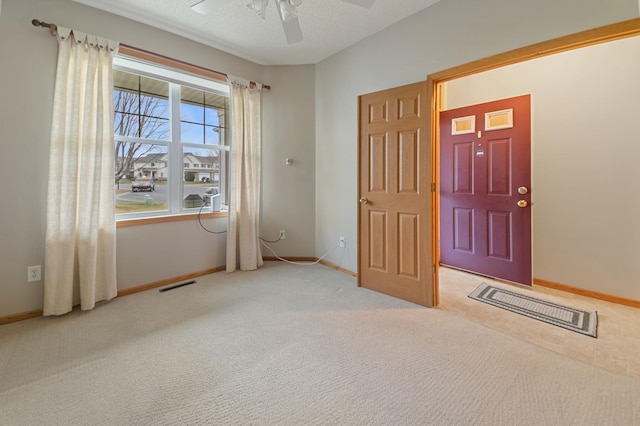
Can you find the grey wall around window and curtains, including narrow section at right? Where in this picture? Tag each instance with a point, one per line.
(153, 252)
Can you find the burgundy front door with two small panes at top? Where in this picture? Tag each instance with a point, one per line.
(485, 189)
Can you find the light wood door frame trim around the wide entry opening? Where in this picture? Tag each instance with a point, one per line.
(435, 92)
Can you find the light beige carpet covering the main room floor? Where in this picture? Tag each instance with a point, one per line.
(290, 345)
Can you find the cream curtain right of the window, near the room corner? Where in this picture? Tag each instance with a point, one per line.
(243, 238)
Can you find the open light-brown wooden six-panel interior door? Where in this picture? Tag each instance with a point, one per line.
(394, 228)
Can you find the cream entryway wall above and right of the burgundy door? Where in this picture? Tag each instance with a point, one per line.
(585, 150)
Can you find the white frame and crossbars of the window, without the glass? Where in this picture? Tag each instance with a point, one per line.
(176, 79)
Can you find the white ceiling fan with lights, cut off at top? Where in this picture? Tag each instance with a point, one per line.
(286, 9)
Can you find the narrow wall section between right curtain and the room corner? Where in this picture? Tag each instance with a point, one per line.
(288, 195)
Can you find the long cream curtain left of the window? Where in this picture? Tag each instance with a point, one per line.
(80, 239)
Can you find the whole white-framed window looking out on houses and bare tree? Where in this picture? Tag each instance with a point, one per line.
(171, 129)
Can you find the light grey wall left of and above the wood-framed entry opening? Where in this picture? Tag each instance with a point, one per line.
(449, 33)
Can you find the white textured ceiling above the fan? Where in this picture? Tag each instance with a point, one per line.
(328, 26)
